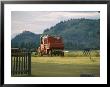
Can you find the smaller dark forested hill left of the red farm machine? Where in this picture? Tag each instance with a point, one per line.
(26, 39)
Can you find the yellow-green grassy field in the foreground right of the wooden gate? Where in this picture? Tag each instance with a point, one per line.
(65, 66)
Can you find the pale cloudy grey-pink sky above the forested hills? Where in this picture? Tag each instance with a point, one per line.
(38, 21)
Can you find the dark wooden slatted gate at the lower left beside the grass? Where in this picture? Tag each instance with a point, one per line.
(20, 62)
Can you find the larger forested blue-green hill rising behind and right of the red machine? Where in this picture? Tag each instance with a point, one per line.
(78, 33)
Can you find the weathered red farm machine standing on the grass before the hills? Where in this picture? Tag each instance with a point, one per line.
(51, 45)
